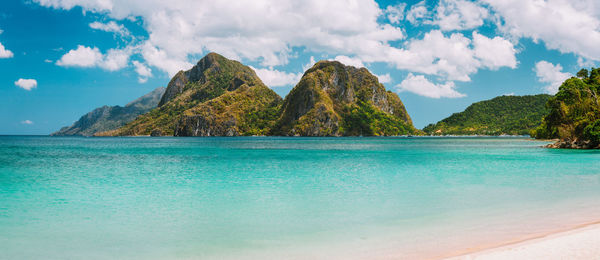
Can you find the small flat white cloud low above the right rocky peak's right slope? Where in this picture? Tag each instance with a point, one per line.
(421, 86)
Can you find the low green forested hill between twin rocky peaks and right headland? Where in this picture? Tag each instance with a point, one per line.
(511, 115)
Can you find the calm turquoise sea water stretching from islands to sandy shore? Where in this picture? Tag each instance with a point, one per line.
(291, 198)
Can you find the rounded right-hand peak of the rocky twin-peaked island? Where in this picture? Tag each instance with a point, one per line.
(332, 99)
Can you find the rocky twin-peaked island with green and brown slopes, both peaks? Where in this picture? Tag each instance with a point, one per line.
(222, 97)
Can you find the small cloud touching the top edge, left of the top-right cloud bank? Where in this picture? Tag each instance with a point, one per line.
(459, 15)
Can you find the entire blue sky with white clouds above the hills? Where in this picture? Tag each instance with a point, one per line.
(62, 58)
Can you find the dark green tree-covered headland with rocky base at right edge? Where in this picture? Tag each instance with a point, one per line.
(574, 113)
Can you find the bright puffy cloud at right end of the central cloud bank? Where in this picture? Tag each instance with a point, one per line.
(494, 53)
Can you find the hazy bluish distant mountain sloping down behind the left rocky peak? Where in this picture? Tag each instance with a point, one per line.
(111, 117)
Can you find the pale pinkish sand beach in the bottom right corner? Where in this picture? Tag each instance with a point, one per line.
(582, 242)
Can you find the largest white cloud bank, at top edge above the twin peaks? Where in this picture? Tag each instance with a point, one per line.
(254, 32)
